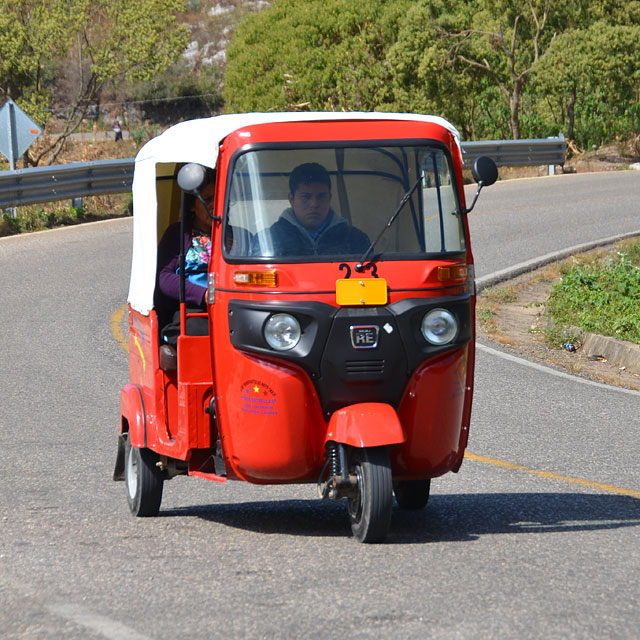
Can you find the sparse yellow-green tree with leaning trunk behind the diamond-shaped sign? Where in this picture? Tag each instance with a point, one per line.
(112, 40)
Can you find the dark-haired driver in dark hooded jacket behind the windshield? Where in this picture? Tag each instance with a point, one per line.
(310, 226)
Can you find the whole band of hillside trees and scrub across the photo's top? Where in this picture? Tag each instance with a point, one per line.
(499, 69)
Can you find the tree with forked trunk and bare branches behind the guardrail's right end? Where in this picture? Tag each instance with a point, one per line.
(488, 48)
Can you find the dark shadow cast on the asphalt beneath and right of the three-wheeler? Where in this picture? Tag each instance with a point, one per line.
(447, 517)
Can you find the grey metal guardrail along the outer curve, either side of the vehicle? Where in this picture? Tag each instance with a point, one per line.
(68, 181)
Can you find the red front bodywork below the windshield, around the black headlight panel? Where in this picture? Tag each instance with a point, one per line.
(269, 416)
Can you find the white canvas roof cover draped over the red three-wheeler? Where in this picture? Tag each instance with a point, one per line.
(199, 141)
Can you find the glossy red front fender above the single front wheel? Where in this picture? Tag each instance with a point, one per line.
(367, 424)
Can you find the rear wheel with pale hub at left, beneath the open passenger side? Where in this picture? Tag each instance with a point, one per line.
(144, 480)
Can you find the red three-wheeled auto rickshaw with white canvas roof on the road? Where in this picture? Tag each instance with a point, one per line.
(340, 349)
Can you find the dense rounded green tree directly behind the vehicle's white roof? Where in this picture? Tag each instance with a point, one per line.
(313, 55)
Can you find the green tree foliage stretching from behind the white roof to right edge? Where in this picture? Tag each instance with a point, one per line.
(495, 68)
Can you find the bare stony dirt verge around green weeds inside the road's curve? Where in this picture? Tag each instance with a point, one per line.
(512, 314)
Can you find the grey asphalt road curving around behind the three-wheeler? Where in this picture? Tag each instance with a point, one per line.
(537, 536)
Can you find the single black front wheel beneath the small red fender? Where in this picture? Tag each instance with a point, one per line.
(370, 508)
